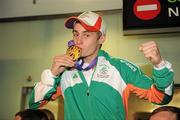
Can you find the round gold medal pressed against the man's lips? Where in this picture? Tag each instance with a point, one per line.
(74, 52)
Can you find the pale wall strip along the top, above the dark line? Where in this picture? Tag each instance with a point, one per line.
(19, 8)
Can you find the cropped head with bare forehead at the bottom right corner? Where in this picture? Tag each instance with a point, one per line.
(166, 113)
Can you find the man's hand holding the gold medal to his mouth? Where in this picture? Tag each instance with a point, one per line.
(61, 62)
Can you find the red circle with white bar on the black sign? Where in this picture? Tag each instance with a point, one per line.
(146, 9)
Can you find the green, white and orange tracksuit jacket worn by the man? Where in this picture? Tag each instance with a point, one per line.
(106, 95)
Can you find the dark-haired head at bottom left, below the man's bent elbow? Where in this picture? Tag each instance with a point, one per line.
(29, 114)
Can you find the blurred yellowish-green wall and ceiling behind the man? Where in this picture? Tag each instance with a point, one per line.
(32, 32)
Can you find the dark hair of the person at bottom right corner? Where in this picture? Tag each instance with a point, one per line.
(173, 109)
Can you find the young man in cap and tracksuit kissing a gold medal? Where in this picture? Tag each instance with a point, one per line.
(97, 86)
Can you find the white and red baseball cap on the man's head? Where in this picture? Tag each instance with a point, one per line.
(89, 20)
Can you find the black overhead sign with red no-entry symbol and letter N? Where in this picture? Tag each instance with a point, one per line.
(151, 16)
